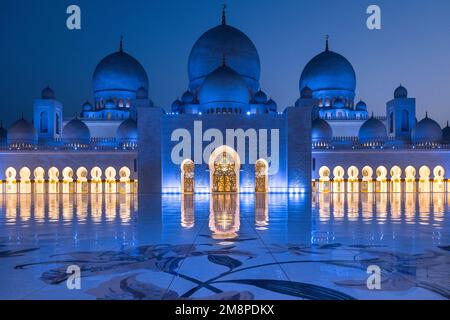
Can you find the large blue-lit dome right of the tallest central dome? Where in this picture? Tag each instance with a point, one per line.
(329, 71)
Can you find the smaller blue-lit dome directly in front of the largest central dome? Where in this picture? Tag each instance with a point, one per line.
(224, 85)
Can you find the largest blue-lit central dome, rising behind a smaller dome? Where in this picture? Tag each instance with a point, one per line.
(208, 50)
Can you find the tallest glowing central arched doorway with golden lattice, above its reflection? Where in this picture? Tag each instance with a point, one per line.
(224, 166)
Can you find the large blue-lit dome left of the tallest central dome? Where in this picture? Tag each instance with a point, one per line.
(117, 75)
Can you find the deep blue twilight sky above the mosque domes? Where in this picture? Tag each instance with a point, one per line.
(412, 48)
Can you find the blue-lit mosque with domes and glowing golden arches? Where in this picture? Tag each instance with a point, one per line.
(224, 135)
